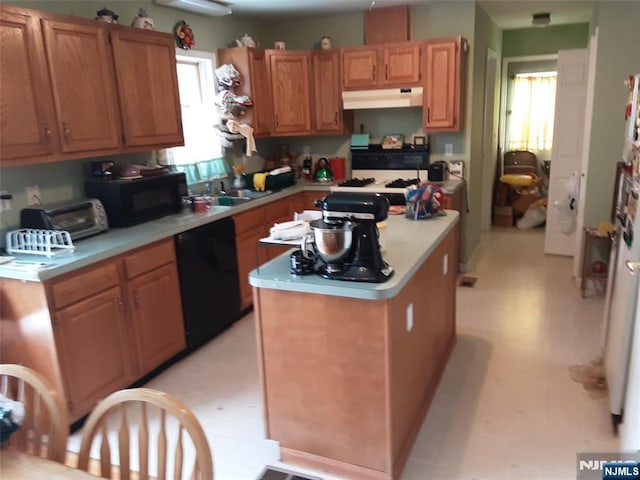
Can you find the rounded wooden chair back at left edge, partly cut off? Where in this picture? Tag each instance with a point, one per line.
(45, 428)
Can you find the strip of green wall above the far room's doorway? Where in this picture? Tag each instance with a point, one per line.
(540, 41)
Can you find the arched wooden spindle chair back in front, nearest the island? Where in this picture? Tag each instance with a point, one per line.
(146, 422)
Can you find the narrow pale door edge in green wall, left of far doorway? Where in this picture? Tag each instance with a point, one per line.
(489, 140)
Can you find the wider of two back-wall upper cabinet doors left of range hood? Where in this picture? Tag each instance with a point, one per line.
(290, 90)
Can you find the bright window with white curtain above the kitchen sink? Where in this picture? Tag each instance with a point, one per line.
(201, 157)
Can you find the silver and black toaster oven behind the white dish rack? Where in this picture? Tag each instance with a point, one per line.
(81, 218)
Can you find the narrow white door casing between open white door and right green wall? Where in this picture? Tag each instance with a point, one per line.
(582, 191)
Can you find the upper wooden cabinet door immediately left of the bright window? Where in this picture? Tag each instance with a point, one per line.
(145, 67)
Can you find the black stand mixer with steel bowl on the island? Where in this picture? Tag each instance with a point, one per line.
(346, 238)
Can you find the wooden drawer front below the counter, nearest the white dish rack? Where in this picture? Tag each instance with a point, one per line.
(82, 285)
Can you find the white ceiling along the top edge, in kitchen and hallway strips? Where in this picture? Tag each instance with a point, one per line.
(507, 14)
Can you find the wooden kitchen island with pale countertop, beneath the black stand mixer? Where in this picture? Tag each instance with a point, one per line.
(349, 369)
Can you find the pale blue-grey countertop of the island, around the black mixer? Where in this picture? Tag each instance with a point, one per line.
(408, 244)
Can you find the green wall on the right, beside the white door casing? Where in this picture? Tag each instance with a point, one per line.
(618, 57)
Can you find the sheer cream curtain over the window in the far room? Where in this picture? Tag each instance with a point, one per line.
(531, 117)
